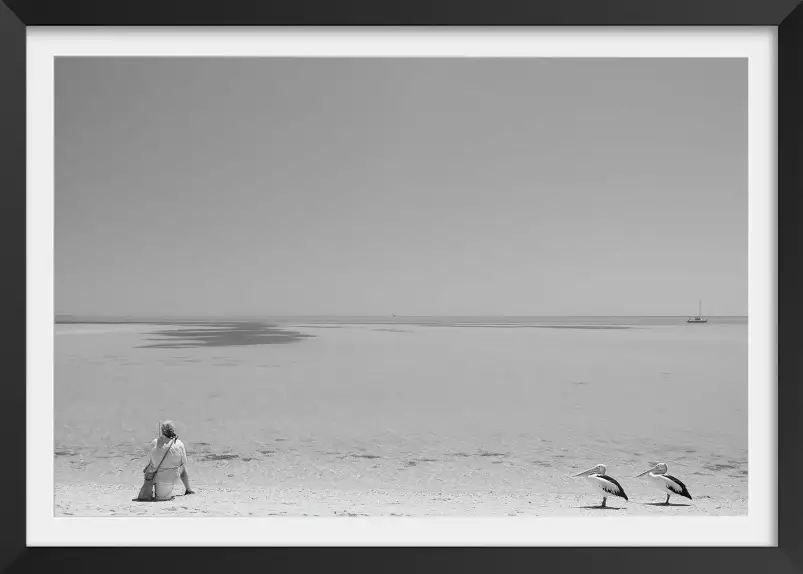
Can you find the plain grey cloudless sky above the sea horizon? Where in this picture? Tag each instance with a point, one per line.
(260, 187)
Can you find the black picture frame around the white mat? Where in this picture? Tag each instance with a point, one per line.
(787, 15)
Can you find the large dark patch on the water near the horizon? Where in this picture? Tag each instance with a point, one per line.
(224, 335)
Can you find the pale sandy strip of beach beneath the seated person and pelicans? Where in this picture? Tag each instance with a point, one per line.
(96, 500)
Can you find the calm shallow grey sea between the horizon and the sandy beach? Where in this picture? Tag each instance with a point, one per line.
(406, 403)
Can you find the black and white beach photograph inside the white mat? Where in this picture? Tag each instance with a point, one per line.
(400, 287)
